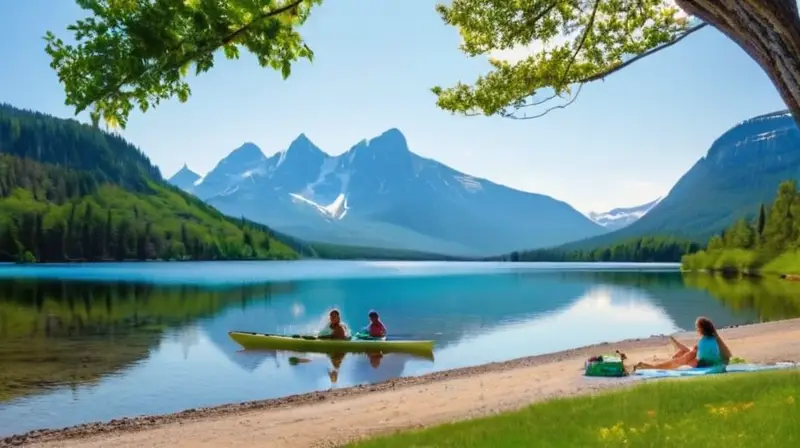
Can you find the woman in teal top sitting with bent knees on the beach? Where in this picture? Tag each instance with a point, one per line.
(710, 350)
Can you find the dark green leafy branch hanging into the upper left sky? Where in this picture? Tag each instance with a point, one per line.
(130, 53)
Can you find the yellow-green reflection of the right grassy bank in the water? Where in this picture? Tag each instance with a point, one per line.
(771, 299)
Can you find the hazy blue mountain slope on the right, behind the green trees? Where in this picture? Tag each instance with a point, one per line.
(741, 170)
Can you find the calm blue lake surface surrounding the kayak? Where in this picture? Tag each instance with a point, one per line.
(103, 341)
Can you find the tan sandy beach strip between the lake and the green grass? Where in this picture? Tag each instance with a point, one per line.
(332, 418)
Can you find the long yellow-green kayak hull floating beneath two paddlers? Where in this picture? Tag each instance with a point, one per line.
(261, 341)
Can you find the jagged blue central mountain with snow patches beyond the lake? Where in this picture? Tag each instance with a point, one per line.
(381, 194)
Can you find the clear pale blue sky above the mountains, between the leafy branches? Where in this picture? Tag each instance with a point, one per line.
(624, 142)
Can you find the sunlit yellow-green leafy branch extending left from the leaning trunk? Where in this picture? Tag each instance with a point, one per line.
(579, 42)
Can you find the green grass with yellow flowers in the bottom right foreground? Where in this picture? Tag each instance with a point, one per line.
(737, 410)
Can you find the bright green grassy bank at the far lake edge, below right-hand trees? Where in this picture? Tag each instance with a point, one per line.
(743, 261)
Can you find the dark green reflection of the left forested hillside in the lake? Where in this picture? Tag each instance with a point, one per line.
(59, 332)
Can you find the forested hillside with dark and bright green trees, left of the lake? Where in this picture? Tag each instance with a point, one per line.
(69, 191)
